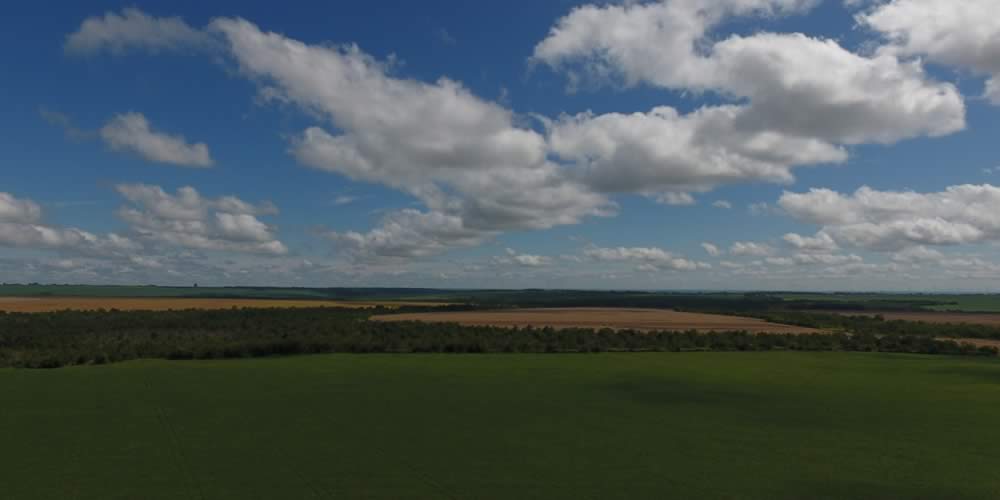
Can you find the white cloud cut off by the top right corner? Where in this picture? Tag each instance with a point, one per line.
(960, 33)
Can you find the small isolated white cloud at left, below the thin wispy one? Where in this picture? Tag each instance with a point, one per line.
(131, 132)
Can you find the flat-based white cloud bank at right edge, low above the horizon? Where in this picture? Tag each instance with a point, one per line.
(895, 220)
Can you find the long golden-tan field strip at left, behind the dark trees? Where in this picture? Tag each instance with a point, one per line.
(47, 304)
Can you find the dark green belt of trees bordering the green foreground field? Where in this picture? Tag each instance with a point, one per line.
(49, 340)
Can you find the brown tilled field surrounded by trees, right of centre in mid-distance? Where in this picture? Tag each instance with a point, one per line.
(616, 318)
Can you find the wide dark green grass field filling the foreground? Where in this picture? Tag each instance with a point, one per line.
(706, 425)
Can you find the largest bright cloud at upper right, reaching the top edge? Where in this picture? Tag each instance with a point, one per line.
(797, 86)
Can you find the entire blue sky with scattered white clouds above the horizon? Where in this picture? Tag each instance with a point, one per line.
(678, 144)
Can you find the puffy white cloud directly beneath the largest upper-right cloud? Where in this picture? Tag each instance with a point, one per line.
(665, 151)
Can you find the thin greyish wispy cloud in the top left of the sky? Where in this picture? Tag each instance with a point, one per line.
(134, 30)
